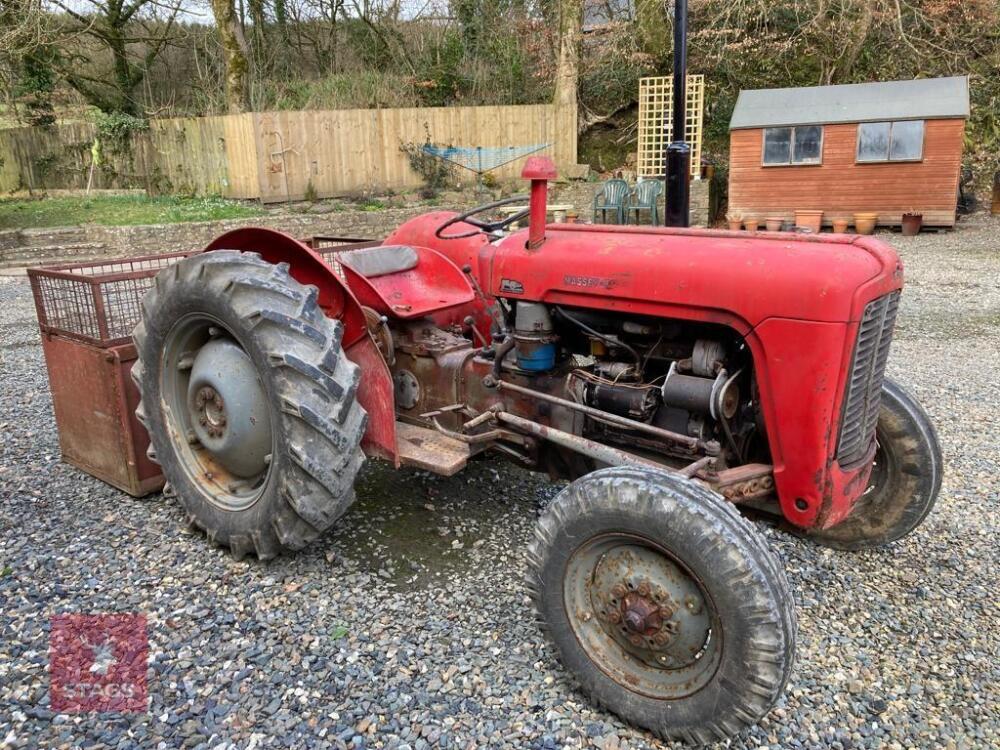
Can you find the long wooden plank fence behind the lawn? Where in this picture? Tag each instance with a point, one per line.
(279, 156)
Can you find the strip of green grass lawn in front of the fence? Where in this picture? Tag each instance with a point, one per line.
(117, 210)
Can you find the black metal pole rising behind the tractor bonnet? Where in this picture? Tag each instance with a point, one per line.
(679, 152)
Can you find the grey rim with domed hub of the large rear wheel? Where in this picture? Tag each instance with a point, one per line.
(216, 412)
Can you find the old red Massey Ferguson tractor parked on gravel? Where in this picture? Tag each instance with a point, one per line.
(673, 376)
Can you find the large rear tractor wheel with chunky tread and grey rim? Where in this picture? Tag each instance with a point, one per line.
(249, 401)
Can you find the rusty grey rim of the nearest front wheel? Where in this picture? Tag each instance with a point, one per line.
(642, 616)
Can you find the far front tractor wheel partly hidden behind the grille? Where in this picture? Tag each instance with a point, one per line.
(905, 480)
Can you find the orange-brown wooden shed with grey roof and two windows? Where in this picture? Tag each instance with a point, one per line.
(887, 148)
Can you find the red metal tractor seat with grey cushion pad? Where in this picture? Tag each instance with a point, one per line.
(404, 281)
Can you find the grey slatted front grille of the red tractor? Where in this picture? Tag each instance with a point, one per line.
(864, 389)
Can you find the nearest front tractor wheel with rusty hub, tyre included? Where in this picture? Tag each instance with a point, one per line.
(666, 605)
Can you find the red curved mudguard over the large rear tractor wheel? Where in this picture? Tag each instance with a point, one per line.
(375, 391)
